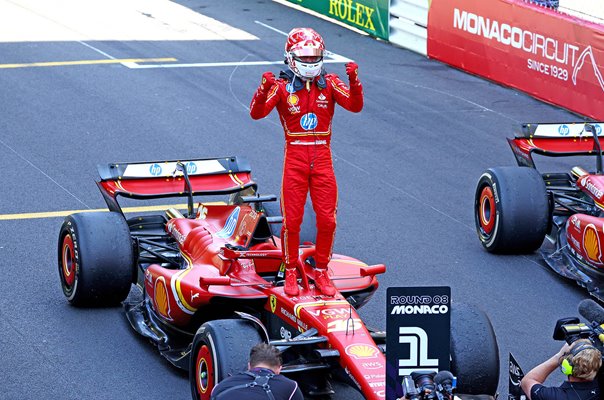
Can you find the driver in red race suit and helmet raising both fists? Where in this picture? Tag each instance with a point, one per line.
(305, 97)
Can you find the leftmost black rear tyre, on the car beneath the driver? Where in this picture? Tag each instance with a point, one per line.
(95, 259)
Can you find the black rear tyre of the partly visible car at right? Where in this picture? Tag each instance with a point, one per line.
(511, 209)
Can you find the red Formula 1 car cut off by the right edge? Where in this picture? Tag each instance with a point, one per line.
(516, 208)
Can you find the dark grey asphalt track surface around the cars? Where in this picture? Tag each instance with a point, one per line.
(407, 166)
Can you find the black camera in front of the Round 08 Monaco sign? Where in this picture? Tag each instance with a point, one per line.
(429, 385)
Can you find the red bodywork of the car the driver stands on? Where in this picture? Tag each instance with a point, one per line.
(177, 294)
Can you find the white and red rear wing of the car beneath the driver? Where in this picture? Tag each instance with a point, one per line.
(157, 179)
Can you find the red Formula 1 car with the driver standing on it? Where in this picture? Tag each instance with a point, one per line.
(210, 283)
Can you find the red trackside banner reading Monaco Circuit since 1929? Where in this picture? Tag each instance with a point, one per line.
(549, 55)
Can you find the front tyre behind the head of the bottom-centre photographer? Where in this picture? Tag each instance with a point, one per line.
(220, 348)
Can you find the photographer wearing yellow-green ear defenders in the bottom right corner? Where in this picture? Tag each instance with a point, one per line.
(580, 362)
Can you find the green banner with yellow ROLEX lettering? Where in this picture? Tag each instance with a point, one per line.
(370, 16)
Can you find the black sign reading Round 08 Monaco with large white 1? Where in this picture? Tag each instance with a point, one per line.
(417, 333)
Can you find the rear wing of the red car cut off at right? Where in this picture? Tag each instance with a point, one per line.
(554, 140)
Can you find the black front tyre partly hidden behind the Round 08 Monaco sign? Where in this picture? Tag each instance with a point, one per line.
(474, 351)
